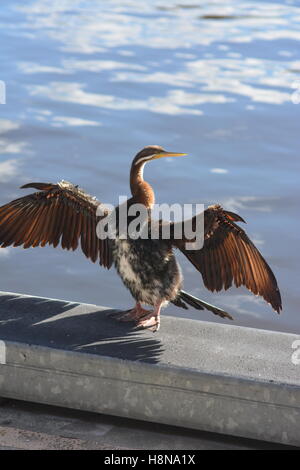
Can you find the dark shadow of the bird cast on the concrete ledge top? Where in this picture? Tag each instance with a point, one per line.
(75, 327)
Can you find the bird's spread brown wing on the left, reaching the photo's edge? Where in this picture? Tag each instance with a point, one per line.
(57, 214)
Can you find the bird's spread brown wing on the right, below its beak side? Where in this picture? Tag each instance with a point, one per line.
(228, 256)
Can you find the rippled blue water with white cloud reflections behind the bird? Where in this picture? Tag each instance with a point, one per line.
(89, 83)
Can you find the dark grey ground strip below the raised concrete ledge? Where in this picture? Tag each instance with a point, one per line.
(29, 426)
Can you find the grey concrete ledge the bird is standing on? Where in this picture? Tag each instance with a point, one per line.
(213, 377)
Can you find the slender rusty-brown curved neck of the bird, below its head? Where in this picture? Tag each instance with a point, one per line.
(141, 191)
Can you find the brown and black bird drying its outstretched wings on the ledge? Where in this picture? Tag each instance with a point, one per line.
(64, 214)
